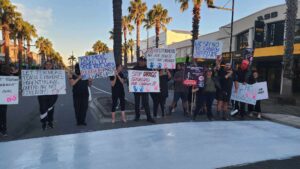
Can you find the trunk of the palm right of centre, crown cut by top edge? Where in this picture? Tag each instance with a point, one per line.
(196, 20)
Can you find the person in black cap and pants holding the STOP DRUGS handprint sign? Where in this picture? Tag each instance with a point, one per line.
(144, 96)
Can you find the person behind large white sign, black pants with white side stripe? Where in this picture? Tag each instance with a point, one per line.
(47, 103)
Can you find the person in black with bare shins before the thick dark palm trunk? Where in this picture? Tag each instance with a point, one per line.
(117, 90)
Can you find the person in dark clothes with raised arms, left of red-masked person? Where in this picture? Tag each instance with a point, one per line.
(225, 77)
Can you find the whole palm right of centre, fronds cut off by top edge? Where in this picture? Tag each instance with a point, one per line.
(196, 16)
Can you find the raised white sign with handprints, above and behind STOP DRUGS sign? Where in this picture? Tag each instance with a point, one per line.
(161, 58)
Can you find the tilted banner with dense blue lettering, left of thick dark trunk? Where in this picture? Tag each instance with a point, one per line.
(97, 66)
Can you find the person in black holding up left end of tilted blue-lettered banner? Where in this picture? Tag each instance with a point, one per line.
(80, 95)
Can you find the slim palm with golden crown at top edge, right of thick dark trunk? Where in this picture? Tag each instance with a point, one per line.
(137, 10)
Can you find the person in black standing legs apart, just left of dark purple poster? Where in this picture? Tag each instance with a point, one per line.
(180, 91)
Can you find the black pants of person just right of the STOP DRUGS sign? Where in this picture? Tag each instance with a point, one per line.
(158, 99)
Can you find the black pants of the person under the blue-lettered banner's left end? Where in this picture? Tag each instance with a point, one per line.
(81, 104)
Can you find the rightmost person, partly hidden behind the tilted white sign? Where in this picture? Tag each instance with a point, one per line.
(254, 78)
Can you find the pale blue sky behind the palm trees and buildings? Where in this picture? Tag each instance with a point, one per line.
(75, 25)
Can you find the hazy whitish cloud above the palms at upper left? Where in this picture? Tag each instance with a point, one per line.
(40, 17)
